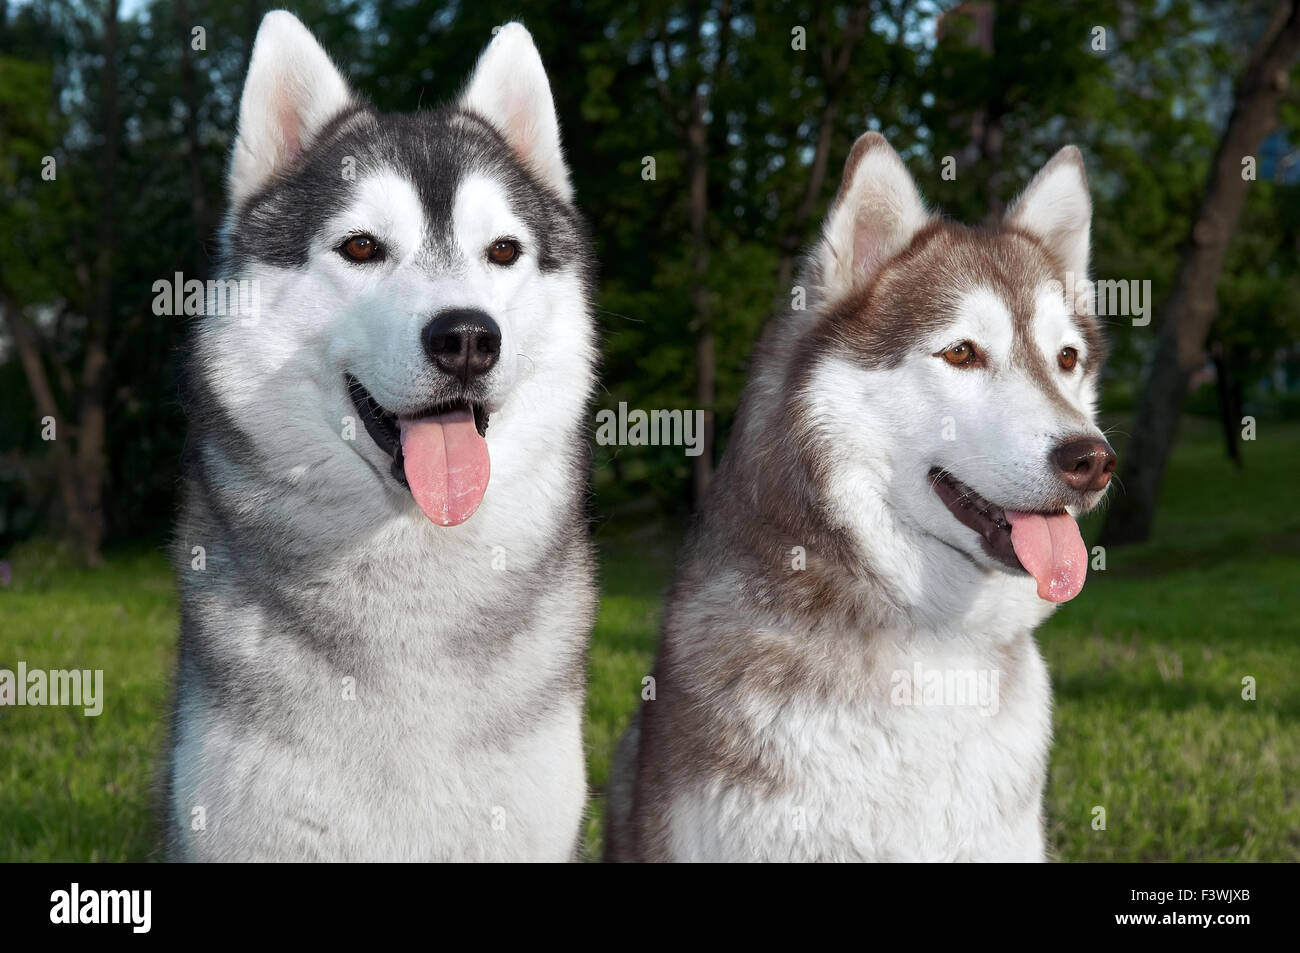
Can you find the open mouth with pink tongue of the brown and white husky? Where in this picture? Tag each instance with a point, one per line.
(1046, 545)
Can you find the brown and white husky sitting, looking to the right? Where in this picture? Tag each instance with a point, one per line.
(848, 668)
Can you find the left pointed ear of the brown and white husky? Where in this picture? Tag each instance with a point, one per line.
(874, 216)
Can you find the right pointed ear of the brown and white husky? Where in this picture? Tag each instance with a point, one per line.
(1056, 210)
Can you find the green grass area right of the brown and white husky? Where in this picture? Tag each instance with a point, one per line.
(1149, 668)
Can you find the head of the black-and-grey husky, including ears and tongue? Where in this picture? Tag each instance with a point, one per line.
(434, 245)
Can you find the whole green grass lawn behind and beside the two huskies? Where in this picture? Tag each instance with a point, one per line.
(1147, 666)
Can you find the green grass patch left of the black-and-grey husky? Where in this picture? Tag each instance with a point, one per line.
(77, 789)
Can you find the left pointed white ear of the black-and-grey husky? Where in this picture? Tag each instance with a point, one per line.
(292, 92)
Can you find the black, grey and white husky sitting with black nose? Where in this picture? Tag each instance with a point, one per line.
(385, 575)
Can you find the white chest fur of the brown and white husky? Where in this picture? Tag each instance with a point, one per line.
(937, 756)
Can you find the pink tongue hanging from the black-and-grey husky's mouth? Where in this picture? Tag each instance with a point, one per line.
(447, 465)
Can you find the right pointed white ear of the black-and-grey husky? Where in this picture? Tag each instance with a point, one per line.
(510, 90)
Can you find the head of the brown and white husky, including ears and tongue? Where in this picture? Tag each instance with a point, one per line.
(955, 339)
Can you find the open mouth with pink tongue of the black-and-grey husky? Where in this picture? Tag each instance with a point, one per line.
(440, 454)
